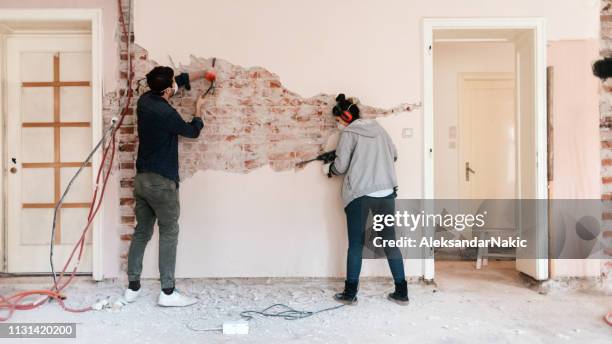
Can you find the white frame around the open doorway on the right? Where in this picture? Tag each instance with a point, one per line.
(538, 25)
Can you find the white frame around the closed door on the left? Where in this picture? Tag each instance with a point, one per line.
(94, 16)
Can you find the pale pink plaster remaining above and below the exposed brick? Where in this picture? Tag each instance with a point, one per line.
(292, 224)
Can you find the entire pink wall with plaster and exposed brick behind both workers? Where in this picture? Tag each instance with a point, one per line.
(248, 213)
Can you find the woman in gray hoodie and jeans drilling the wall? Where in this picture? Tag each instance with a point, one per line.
(365, 155)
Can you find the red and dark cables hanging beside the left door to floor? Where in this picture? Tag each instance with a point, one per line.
(108, 142)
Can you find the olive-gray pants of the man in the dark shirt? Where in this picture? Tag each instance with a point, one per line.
(156, 198)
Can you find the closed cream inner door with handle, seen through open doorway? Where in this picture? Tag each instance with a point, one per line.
(487, 136)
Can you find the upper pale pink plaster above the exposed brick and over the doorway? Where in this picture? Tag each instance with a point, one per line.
(325, 46)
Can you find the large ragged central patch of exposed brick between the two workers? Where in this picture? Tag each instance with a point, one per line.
(252, 120)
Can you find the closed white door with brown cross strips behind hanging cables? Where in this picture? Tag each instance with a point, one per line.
(48, 136)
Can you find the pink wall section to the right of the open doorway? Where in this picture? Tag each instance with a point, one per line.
(576, 135)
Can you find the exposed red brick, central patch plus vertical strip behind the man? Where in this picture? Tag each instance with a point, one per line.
(251, 121)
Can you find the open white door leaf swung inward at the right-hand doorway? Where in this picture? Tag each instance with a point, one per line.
(531, 95)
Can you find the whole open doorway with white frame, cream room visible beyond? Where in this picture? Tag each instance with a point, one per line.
(485, 121)
